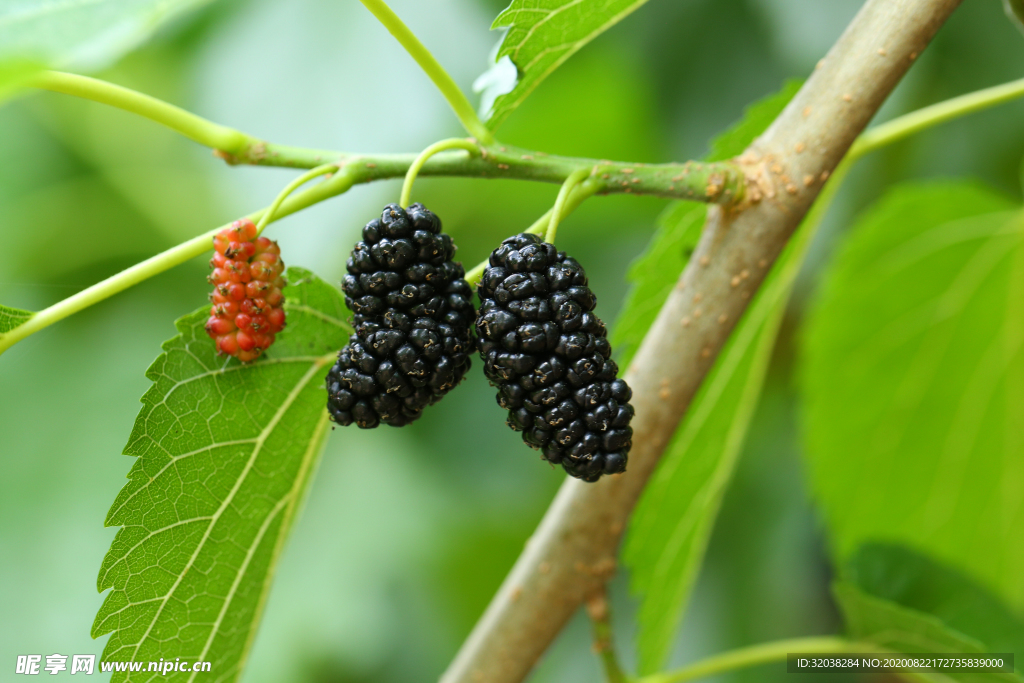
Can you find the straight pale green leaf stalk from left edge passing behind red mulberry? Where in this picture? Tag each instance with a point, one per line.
(161, 263)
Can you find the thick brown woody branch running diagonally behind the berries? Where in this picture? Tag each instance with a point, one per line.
(574, 549)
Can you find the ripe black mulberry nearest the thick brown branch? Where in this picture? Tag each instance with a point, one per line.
(549, 357)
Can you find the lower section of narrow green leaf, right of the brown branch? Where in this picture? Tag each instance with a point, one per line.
(670, 529)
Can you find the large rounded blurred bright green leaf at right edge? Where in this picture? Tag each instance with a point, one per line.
(914, 383)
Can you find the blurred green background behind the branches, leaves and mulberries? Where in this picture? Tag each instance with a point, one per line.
(408, 533)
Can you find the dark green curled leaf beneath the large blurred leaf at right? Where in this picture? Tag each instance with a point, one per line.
(912, 580)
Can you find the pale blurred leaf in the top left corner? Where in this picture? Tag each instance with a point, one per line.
(79, 34)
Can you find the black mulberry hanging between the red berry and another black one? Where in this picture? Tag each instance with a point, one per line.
(414, 315)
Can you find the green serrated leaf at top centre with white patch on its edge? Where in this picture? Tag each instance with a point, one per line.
(542, 35)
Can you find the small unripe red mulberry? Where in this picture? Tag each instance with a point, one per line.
(247, 298)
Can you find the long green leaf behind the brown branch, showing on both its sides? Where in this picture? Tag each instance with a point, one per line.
(669, 532)
